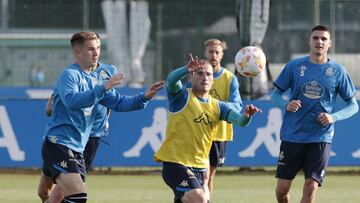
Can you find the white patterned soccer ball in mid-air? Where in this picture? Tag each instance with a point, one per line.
(250, 61)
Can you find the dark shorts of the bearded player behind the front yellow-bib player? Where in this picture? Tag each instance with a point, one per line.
(217, 154)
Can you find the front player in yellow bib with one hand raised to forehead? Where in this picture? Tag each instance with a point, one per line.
(193, 120)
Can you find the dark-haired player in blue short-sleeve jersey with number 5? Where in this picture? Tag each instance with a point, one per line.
(308, 125)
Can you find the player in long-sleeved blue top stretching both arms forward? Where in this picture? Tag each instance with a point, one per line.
(77, 94)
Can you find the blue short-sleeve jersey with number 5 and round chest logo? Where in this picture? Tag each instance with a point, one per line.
(316, 86)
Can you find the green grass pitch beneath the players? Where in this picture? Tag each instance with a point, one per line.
(229, 188)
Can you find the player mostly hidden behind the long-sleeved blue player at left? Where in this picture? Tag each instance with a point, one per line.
(54, 194)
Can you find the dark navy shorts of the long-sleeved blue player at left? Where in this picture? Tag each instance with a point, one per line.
(61, 159)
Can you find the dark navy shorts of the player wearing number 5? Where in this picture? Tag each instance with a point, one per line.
(311, 157)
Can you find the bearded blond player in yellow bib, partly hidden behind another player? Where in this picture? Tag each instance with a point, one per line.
(224, 88)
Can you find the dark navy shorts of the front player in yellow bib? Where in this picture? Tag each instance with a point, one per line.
(182, 179)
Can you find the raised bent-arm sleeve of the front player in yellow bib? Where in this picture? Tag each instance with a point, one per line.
(174, 79)
